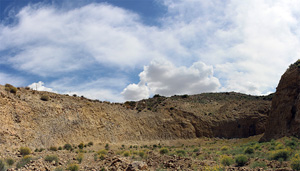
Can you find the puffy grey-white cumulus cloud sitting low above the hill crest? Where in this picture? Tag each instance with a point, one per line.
(162, 77)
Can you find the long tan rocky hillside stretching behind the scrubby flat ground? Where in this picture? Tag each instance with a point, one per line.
(42, 119)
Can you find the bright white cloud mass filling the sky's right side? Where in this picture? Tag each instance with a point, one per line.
(250, 43)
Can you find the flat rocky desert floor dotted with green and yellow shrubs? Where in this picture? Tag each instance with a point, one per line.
(196, 154)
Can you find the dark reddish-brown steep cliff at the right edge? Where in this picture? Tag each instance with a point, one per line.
(284, 119)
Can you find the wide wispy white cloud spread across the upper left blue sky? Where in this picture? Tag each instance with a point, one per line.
(48, 41)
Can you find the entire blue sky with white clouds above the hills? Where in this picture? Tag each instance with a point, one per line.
(123, 50)
